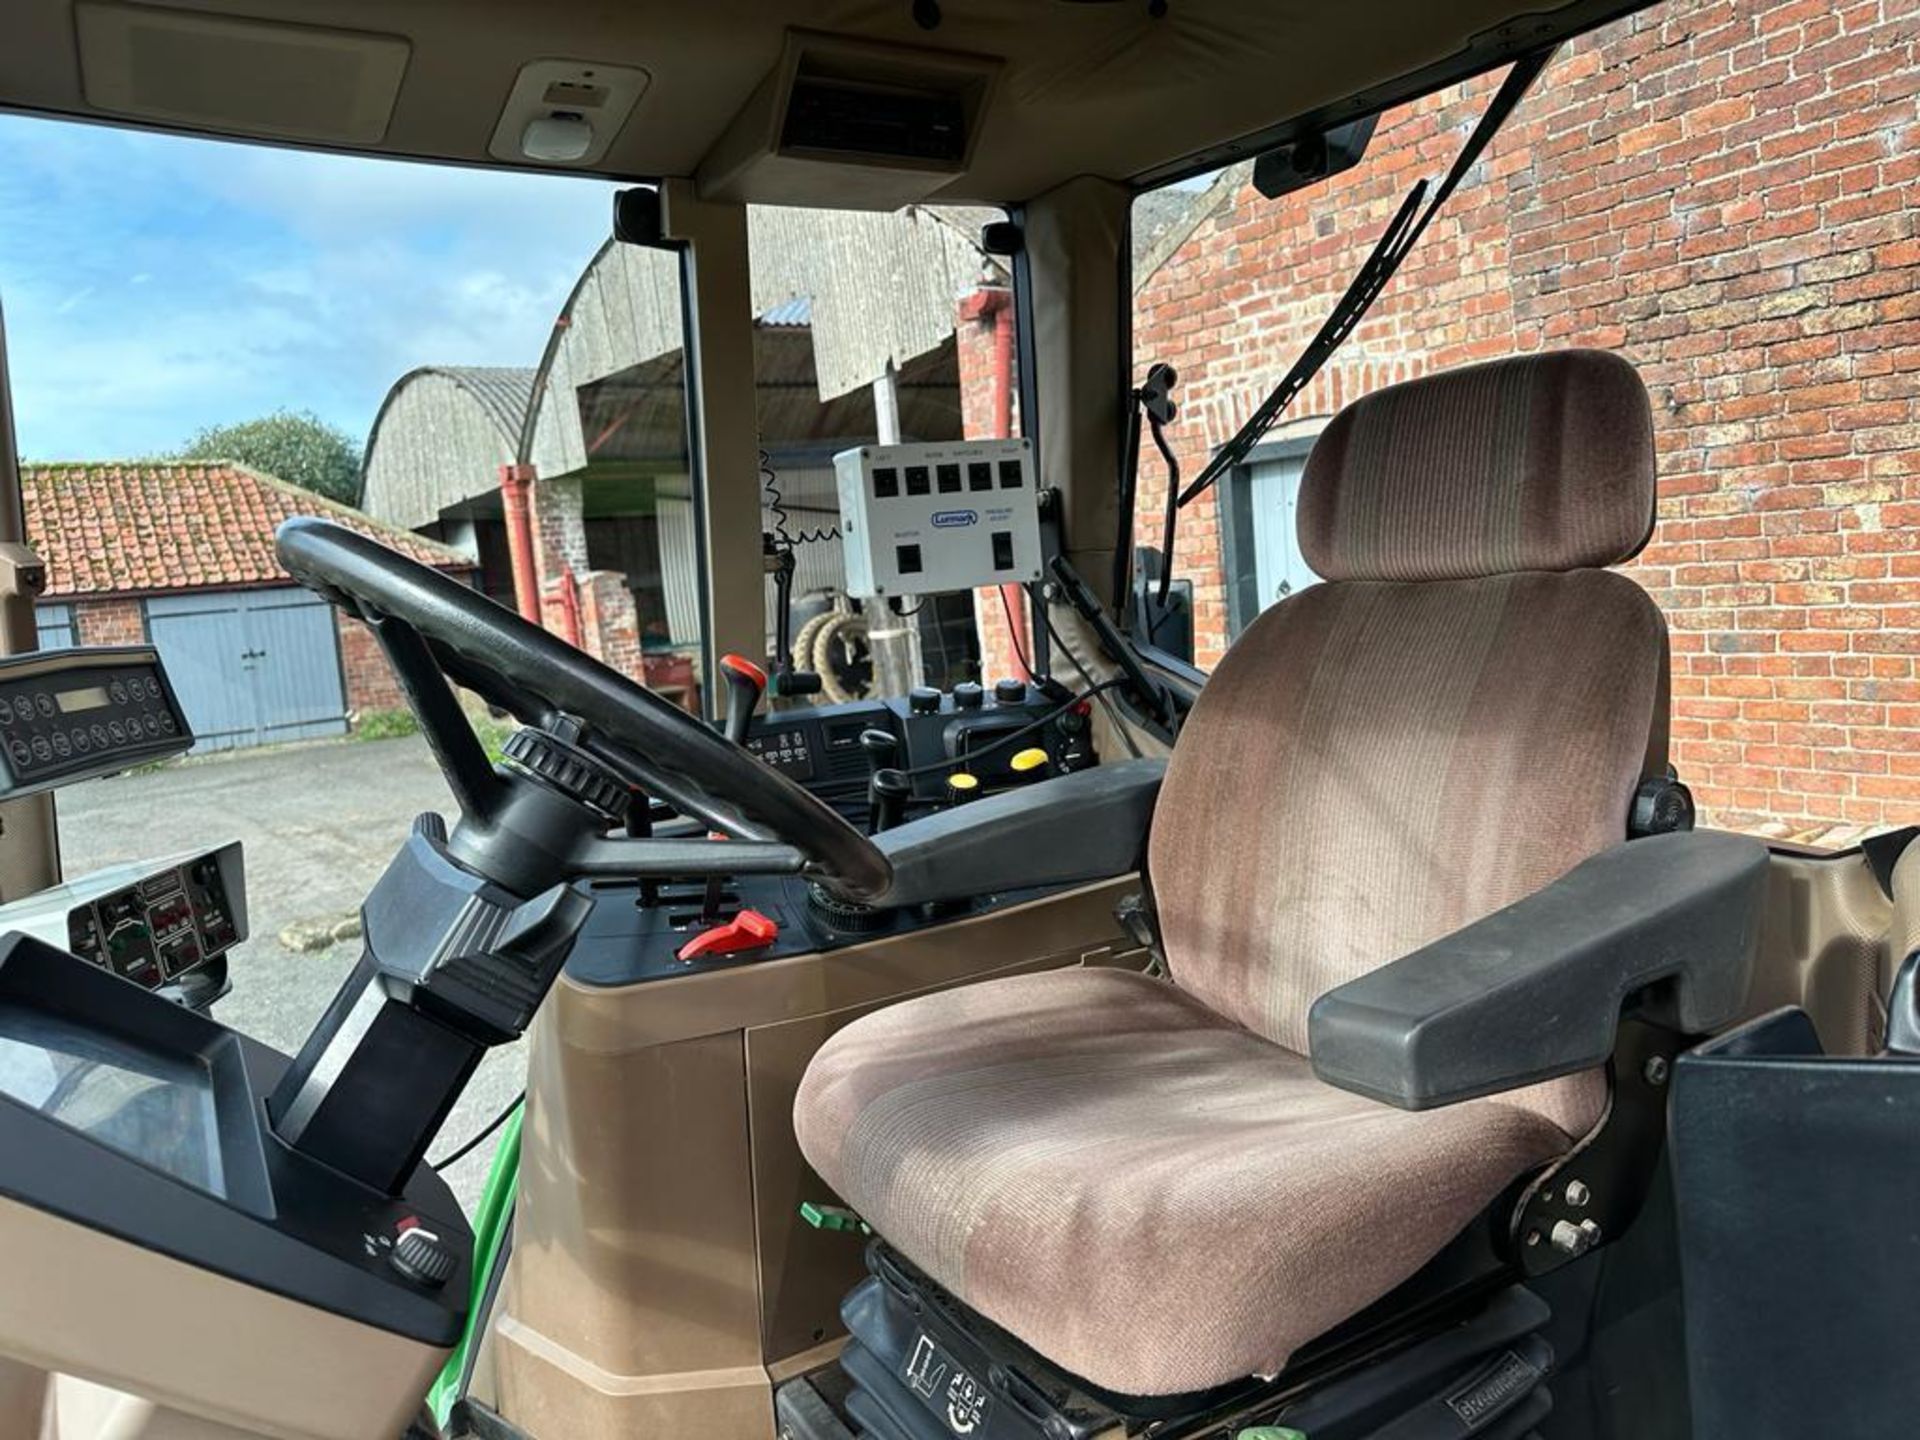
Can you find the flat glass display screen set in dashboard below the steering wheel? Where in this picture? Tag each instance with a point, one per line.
(153, 1107)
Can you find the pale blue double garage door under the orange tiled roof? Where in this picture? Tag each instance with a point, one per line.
(252, 667)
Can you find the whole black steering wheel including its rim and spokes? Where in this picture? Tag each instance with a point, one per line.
(437, 629)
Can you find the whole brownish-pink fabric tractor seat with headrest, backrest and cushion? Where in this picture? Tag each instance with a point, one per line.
(1145, 1180)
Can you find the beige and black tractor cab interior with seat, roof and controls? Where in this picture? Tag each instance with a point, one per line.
(1355, 1038)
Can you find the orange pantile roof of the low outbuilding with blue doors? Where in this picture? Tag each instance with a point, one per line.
(178, 525)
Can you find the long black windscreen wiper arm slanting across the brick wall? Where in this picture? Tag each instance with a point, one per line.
(1403, 233)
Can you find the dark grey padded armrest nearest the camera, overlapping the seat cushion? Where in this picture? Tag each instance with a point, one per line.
(1535, 992)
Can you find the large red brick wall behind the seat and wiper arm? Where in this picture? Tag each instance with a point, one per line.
(1723, 193)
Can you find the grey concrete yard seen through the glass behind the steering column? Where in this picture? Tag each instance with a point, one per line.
(320, 825)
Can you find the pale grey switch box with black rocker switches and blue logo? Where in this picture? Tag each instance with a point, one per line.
(940, 517)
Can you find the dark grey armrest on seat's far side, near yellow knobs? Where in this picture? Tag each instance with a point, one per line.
(1084, 827)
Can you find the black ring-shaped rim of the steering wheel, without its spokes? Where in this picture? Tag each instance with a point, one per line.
(539, 677)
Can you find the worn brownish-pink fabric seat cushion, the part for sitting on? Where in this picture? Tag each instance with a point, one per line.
(1140, 1189)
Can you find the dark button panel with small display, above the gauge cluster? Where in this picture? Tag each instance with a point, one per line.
(84, 713)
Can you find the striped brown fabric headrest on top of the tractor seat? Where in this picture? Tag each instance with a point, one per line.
(1529, 464)
